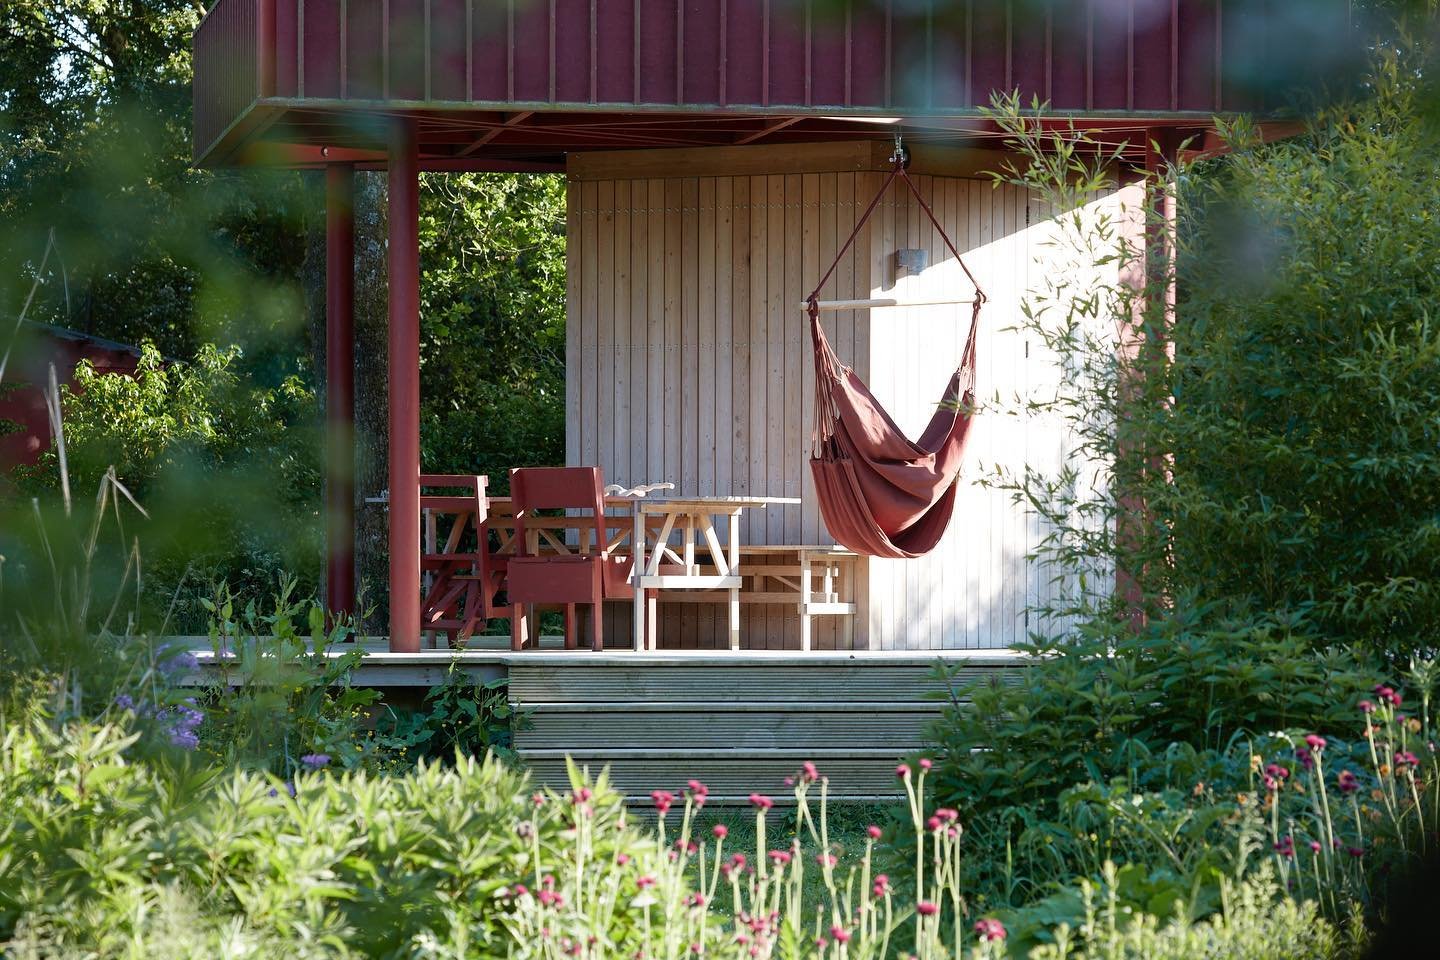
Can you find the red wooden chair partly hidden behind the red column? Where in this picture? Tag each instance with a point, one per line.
(463, 572)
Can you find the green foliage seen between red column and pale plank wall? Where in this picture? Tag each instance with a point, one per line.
(493, 323)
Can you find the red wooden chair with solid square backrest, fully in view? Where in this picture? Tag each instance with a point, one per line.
(587, 571)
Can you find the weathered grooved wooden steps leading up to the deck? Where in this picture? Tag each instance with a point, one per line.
(739, 723)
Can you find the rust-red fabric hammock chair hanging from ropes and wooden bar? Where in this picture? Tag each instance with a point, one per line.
(881, 493)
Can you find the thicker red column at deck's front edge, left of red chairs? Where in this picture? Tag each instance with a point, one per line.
(405, 391)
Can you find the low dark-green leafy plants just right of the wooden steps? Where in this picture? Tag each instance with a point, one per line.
(1137, 706)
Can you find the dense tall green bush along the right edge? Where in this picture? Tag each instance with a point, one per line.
(1310, 368)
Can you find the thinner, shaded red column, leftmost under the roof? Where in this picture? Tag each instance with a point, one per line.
(341, 391)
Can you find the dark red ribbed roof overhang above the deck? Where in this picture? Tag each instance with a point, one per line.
(521, 84)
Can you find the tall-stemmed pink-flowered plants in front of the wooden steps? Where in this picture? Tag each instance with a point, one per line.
(692, 897)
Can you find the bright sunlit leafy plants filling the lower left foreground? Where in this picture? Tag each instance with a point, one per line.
(91, 844)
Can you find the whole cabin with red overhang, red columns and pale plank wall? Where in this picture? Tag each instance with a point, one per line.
(678, 123)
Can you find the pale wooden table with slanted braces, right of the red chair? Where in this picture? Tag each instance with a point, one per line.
(695, 517)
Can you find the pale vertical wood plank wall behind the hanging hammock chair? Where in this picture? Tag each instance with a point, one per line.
(690, 362)
